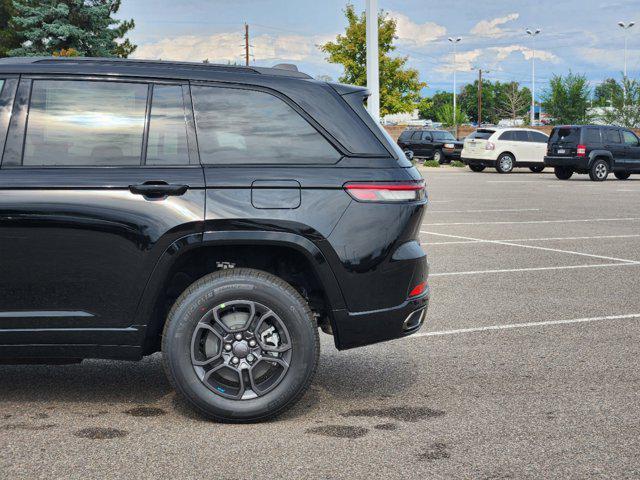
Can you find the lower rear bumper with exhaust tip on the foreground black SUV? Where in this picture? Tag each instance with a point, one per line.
(364, 328)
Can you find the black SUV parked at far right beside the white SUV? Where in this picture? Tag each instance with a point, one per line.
(593, 149)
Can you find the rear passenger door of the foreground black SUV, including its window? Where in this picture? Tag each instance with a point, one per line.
(99, 177)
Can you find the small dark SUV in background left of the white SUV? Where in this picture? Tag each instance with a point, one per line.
(439, 145)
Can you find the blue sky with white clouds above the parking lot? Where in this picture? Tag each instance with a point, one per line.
(581, 36)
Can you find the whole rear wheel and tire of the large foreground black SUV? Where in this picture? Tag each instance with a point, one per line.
(240, 345)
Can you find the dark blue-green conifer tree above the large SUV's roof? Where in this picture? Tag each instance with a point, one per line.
(45, 27)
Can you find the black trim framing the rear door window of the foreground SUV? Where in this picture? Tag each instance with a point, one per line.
(16, 136)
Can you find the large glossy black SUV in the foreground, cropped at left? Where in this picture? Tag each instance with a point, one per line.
(218, 214)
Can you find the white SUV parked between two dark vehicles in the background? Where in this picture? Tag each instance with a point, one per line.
(504, 149)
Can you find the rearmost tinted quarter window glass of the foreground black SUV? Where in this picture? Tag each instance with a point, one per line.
(238, 126)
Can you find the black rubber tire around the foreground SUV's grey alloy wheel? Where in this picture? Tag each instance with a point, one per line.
(190, 310)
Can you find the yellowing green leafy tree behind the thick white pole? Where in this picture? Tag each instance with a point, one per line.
(399, 86)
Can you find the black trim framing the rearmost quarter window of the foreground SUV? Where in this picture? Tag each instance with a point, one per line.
(340, 150)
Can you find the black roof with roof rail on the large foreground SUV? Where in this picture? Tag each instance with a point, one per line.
(123, 66)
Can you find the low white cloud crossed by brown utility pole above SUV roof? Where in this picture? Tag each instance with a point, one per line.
(229, 47)
